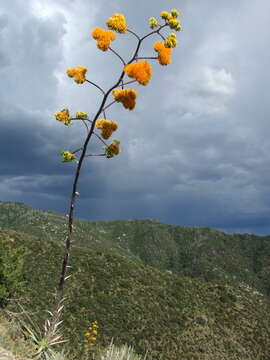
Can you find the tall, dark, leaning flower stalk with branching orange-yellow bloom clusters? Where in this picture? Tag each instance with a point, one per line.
(140, 72)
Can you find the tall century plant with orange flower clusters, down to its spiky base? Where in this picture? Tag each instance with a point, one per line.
(139, 69)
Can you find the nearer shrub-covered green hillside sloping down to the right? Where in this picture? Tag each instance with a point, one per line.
(168, 314)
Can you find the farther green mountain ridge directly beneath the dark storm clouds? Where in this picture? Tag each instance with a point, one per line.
(192, 251)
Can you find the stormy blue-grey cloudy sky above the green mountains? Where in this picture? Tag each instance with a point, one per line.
(195, 150)
